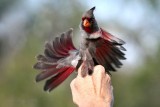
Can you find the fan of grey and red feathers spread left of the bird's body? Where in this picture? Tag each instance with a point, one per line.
(56, 63)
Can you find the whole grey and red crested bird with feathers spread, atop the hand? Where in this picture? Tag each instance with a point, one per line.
(61, 58)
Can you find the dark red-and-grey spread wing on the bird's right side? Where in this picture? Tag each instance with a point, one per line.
(107, 51)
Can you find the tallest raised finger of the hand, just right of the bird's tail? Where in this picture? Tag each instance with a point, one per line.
(98, 76)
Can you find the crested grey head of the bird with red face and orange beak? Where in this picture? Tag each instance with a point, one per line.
(89, 24)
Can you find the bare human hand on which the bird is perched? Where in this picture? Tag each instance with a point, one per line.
(92, 90)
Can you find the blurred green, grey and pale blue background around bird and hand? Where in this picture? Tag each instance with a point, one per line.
(26, 24)
